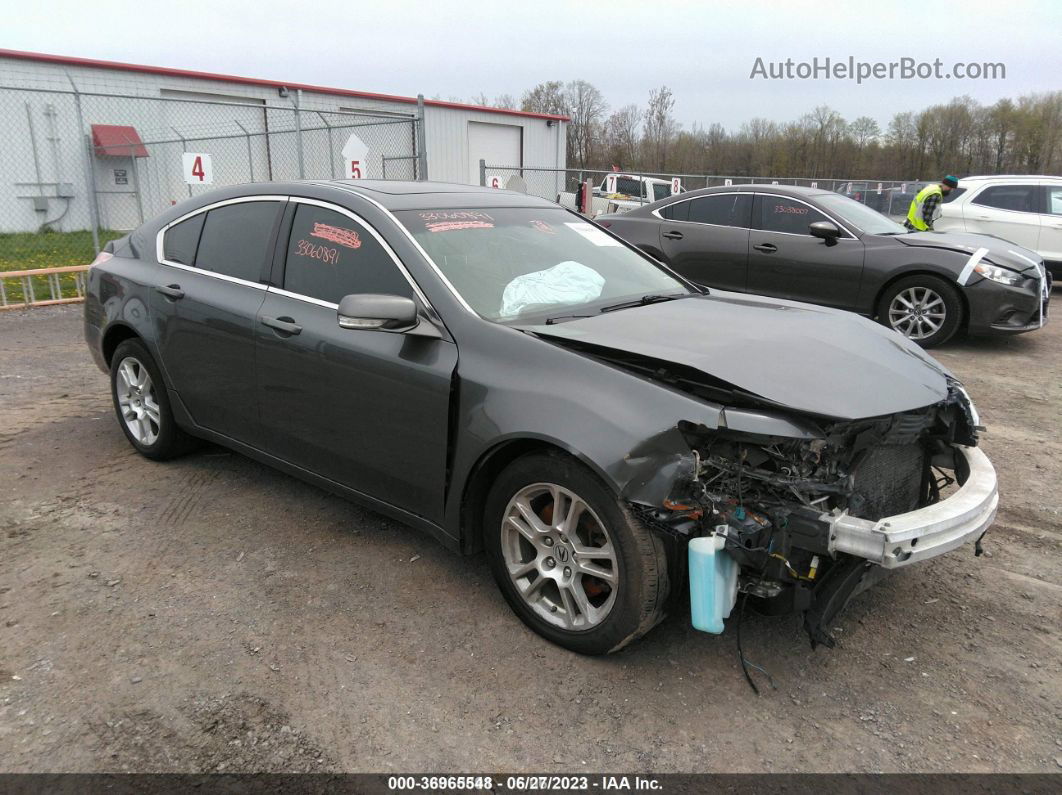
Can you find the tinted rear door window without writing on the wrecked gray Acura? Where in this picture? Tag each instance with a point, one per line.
(236, 239)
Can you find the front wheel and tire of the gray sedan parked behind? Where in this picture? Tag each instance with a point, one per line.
(928, 310)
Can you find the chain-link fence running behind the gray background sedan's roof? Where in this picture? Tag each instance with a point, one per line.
(888, 197)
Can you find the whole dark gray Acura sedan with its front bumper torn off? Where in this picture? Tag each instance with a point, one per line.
(499, 372)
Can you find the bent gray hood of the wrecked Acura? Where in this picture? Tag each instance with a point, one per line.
(808, 358)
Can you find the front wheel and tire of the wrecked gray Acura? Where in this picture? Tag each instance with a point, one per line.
(570, 559)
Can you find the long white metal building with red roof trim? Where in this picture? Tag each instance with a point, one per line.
(84, 137)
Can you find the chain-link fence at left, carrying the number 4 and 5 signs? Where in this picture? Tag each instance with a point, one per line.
(80, 168)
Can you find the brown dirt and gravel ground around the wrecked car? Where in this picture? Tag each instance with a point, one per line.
(211, 614)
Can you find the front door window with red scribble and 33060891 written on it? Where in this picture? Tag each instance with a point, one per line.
(331, 255)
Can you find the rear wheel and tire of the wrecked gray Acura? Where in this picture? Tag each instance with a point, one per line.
(143, 404)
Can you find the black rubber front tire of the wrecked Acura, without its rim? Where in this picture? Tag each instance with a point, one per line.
(642, 558)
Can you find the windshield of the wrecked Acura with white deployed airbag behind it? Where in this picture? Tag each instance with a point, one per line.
(524, 265)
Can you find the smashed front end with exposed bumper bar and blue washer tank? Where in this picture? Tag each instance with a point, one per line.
(801, 523)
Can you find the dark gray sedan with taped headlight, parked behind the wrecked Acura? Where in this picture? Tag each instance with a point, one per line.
(824, 248)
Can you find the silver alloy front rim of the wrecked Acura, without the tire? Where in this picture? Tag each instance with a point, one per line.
(560, 557)
